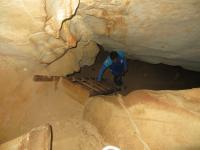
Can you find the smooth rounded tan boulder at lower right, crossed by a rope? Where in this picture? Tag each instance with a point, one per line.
(148, 119)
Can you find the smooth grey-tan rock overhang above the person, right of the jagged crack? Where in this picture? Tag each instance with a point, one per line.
(154, 31)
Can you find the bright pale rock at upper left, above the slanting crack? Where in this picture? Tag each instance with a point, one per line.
(35, 31)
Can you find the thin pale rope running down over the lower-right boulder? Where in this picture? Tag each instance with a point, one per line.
(133, 124)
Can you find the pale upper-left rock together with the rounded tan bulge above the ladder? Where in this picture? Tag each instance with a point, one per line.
(41, 33)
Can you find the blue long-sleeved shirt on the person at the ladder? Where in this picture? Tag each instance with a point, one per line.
(117, 68)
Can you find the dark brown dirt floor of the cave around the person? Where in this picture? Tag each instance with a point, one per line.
(143, 75)
